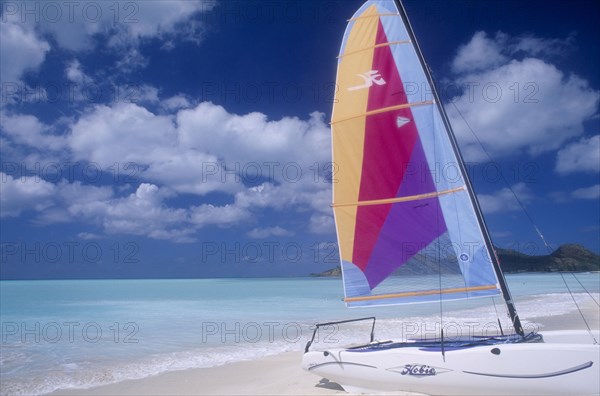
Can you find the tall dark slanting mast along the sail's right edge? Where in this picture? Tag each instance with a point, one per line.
(486, 235)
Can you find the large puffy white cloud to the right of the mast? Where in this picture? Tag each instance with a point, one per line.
(514, 101)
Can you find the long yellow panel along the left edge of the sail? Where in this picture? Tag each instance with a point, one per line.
(348, 136)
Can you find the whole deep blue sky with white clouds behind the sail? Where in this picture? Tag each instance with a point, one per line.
(187, 139)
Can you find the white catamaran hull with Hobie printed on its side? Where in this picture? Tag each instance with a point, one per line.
(566, 363)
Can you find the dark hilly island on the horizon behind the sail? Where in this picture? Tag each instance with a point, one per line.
(569, 257)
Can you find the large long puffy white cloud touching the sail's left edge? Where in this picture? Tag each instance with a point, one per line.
(206, 149)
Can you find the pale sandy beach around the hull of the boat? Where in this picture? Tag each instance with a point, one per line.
(276, 375)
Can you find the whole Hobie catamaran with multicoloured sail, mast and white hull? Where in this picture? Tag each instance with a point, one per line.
(397, 214)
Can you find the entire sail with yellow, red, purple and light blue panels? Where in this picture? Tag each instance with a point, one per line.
(401, 201)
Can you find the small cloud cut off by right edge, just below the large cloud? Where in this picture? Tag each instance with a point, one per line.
(580, 156)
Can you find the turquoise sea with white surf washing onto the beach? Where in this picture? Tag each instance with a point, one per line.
(83, 333)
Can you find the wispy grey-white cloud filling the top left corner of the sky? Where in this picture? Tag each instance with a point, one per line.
(26, 29)
